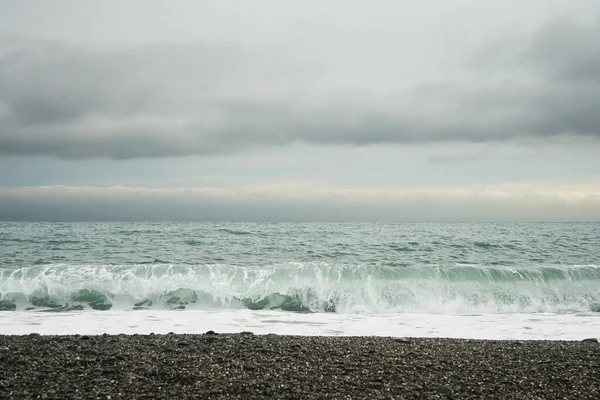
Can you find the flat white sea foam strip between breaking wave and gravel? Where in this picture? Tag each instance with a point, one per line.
(549, 326)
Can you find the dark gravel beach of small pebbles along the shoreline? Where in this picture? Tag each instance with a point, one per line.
(246, 366)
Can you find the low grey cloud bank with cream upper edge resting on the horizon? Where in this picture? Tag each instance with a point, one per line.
(306, 201)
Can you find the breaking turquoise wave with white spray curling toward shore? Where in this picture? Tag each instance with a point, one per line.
(303, 287)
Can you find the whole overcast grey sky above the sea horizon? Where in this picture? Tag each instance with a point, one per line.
(329, 110)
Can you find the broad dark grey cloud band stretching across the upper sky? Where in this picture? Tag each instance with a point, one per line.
(64, 101)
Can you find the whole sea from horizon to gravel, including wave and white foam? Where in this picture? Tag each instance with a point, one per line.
(461, 280)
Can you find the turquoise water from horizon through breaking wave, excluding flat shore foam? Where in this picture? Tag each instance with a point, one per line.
(301, 267)
